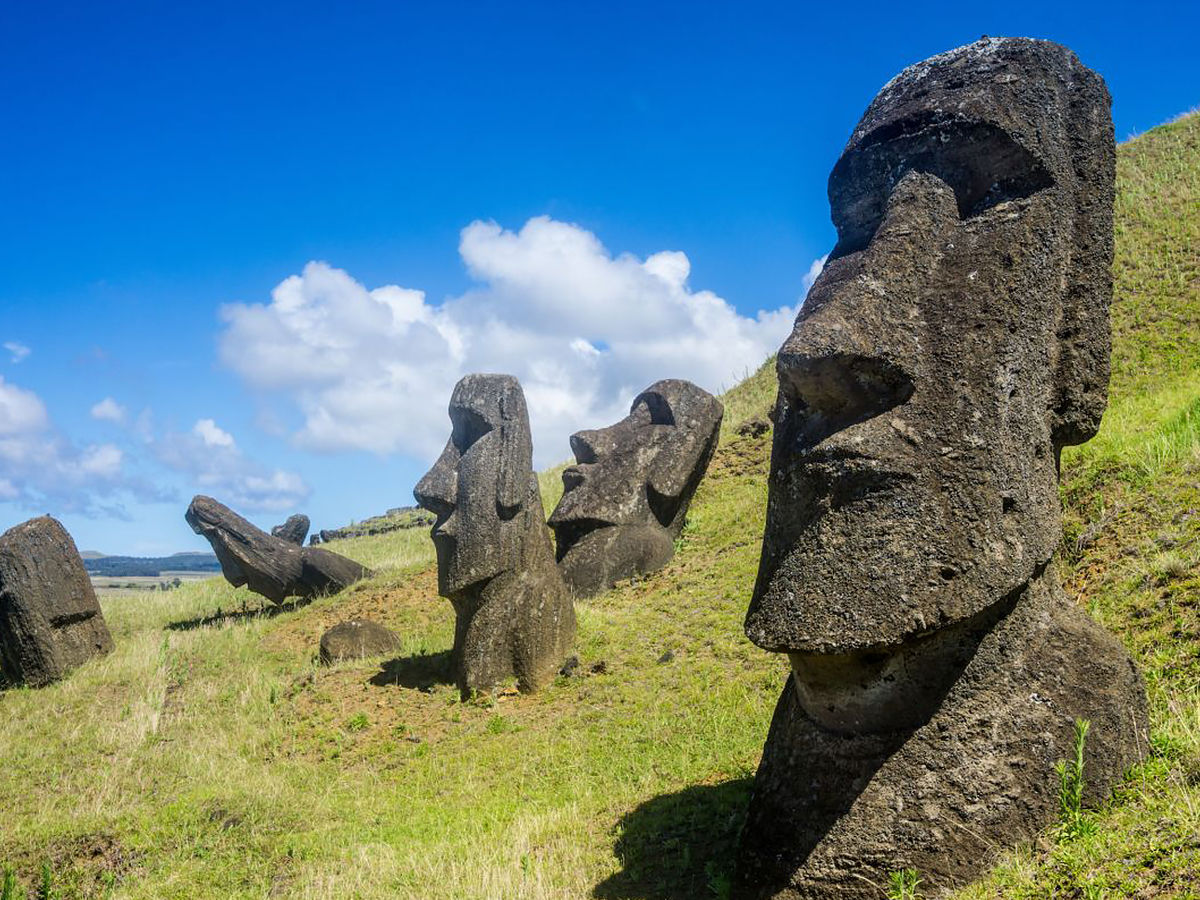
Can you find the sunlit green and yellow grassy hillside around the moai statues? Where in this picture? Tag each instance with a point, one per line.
(211, 758)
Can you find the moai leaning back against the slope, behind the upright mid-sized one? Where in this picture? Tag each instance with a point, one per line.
(626, 500)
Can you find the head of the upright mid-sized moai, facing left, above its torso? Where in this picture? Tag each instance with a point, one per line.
(481, 484)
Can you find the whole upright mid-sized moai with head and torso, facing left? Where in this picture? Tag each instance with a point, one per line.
(514, 616)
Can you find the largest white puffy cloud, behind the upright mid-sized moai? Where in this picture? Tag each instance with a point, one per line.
(583, 329)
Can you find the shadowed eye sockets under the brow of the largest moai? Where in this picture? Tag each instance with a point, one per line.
(981, 163)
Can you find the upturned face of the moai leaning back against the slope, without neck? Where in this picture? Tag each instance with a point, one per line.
(643, 470)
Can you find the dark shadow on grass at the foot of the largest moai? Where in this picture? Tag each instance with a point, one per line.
(680, 847)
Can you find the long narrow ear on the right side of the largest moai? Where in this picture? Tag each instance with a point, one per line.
(1084, 337)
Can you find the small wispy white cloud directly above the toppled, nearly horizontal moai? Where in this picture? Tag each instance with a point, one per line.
(214, 464)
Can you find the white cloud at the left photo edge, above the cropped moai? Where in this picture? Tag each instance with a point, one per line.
(41, 465)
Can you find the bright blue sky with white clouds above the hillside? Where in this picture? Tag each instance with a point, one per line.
(247, 249)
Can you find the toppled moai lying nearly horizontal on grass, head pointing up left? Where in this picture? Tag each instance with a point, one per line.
(268, 566)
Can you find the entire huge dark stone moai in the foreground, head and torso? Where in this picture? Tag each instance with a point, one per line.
(957, 340)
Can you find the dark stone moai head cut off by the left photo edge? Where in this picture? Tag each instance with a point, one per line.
(50, 619)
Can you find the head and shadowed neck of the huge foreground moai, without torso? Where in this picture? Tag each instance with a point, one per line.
(956, 341)
